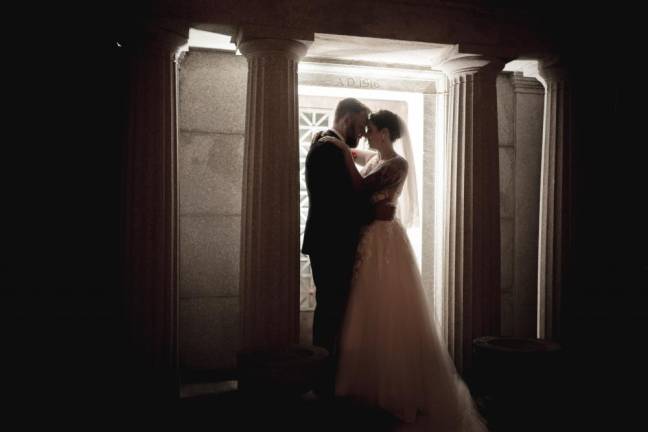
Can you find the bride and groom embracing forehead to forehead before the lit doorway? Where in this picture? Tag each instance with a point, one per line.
(371, 312)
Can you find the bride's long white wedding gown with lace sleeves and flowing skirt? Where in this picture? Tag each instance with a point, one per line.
(391, 354)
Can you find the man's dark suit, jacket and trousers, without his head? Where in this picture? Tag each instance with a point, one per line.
(335, 215)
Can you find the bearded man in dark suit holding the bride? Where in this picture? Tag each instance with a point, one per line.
(335, 215)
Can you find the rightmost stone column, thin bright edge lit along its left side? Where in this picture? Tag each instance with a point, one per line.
(555, 196)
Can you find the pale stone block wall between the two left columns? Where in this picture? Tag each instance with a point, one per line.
(212, 95)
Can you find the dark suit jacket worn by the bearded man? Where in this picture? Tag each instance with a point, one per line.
(336, 212)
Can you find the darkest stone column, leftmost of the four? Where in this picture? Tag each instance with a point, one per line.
(150, 211)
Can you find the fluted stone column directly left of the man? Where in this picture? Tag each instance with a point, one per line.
(269, 283)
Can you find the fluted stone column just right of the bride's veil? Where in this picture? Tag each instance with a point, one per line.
(473, 242)
